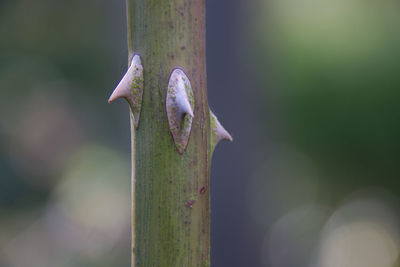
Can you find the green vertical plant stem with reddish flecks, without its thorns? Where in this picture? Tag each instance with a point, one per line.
(170, 196)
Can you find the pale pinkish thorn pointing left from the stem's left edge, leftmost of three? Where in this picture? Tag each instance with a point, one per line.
(131, 87)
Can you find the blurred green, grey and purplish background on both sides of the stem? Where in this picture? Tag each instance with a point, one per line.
(309, 90)
